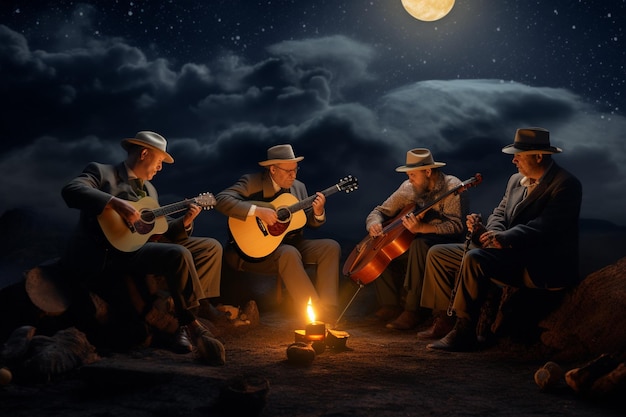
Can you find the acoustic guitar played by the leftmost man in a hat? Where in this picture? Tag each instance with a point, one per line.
(130, 237)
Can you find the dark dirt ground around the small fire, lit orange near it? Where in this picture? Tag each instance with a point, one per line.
(380, 372)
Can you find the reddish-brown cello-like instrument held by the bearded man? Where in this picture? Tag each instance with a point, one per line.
(372, 255)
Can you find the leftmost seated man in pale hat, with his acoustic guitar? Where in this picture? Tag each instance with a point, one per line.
(110, 241)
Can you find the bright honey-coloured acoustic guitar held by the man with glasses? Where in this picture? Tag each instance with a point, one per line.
(256, 239)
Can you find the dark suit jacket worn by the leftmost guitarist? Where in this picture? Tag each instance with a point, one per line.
(90, 192)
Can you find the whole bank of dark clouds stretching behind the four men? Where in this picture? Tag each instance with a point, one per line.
(69, 106)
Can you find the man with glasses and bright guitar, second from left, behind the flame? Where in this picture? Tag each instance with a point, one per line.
(264, 241)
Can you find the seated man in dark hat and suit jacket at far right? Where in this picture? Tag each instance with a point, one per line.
(530, 241)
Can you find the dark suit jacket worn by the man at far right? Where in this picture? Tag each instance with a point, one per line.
(543, 227)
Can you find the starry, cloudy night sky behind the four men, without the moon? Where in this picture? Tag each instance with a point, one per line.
(352, 85)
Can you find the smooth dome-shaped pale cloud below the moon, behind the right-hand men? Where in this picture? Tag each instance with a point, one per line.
(450, 116)
